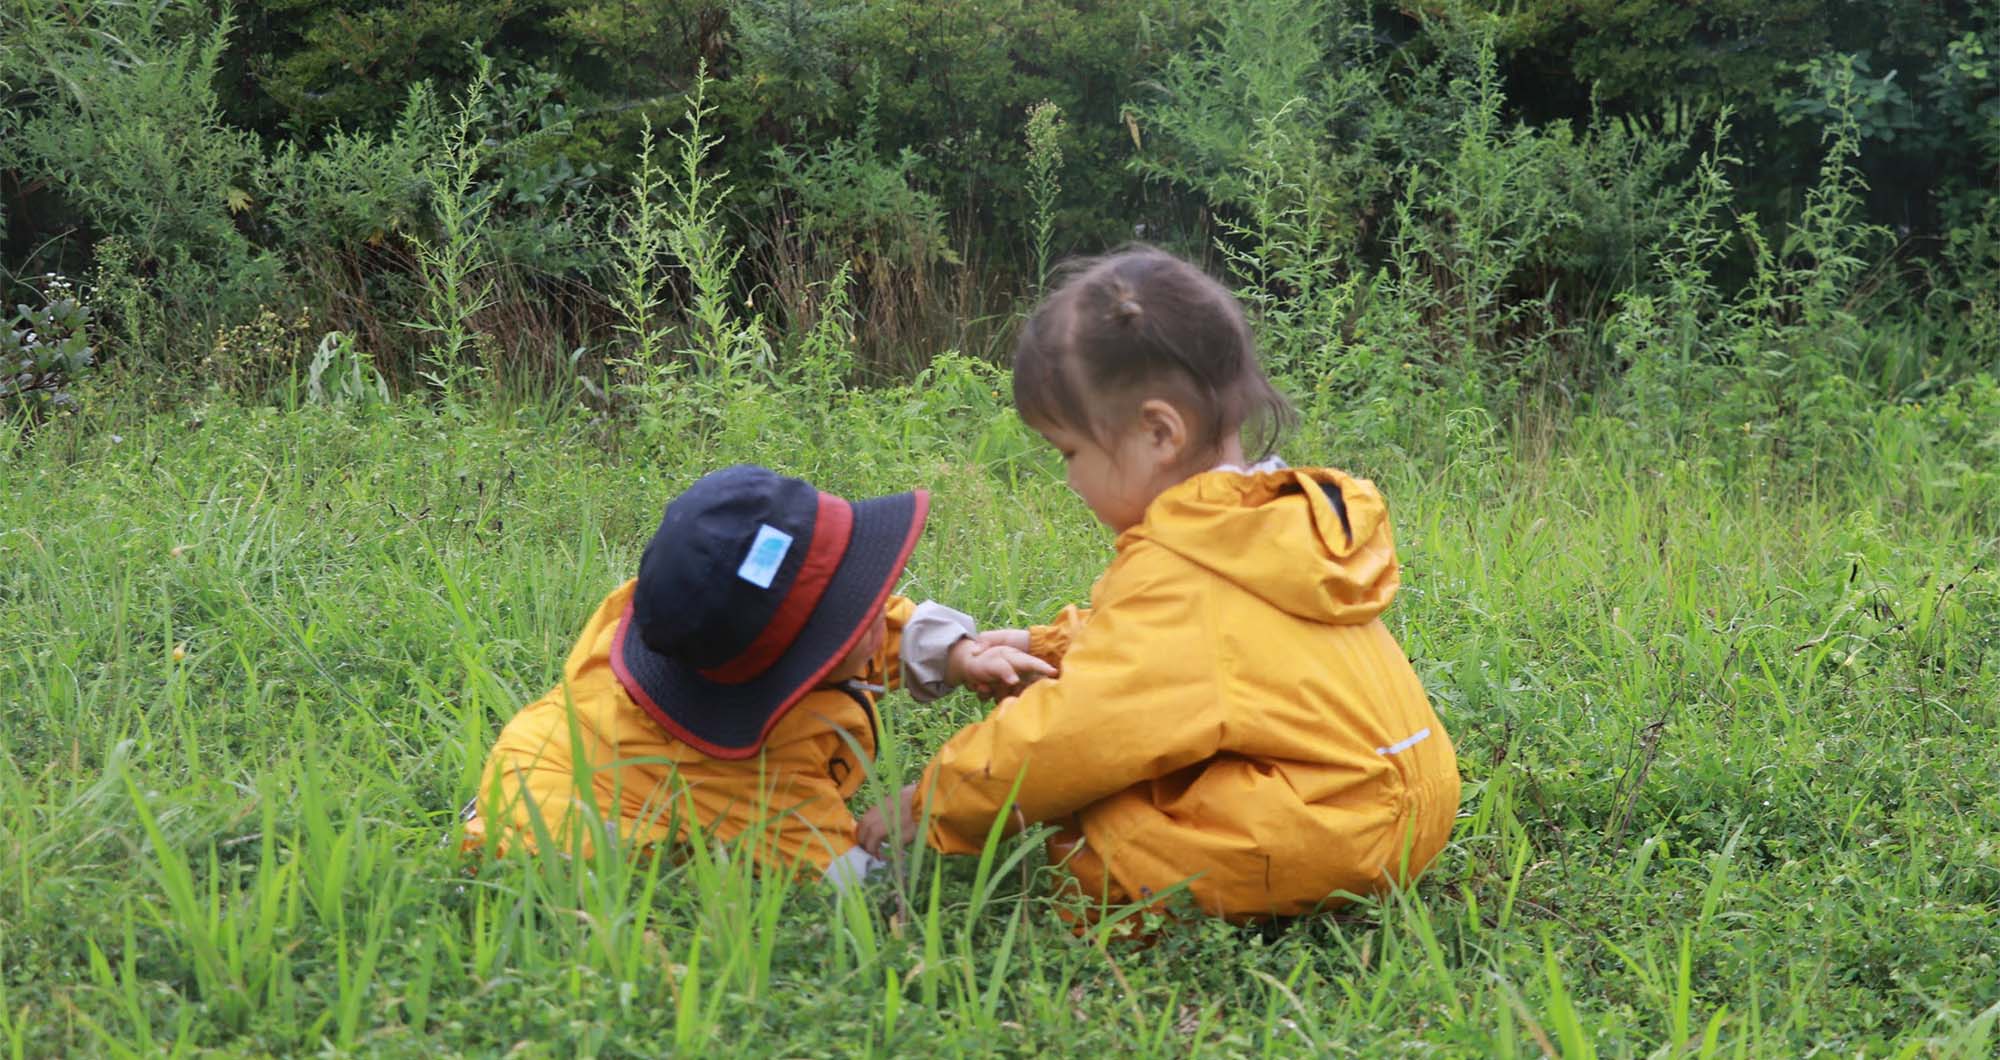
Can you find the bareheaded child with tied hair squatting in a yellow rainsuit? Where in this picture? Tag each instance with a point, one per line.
(1231, 711)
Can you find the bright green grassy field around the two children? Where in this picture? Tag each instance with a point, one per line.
(1727, 731)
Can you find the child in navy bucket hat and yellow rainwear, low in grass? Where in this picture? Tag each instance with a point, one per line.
(729, 685)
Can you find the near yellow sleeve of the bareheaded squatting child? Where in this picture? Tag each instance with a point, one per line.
(1137, 699)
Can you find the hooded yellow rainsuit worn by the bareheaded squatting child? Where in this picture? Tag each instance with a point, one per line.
(1229, 711)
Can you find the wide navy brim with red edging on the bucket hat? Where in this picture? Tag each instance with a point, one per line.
(731, 721)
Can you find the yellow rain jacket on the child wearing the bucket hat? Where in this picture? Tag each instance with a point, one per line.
(643, 781)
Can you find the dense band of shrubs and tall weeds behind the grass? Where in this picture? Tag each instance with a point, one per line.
(1427, 205)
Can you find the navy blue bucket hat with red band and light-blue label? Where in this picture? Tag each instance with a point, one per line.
(751, 591)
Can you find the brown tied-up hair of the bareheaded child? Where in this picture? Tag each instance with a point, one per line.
(1145, 319)
